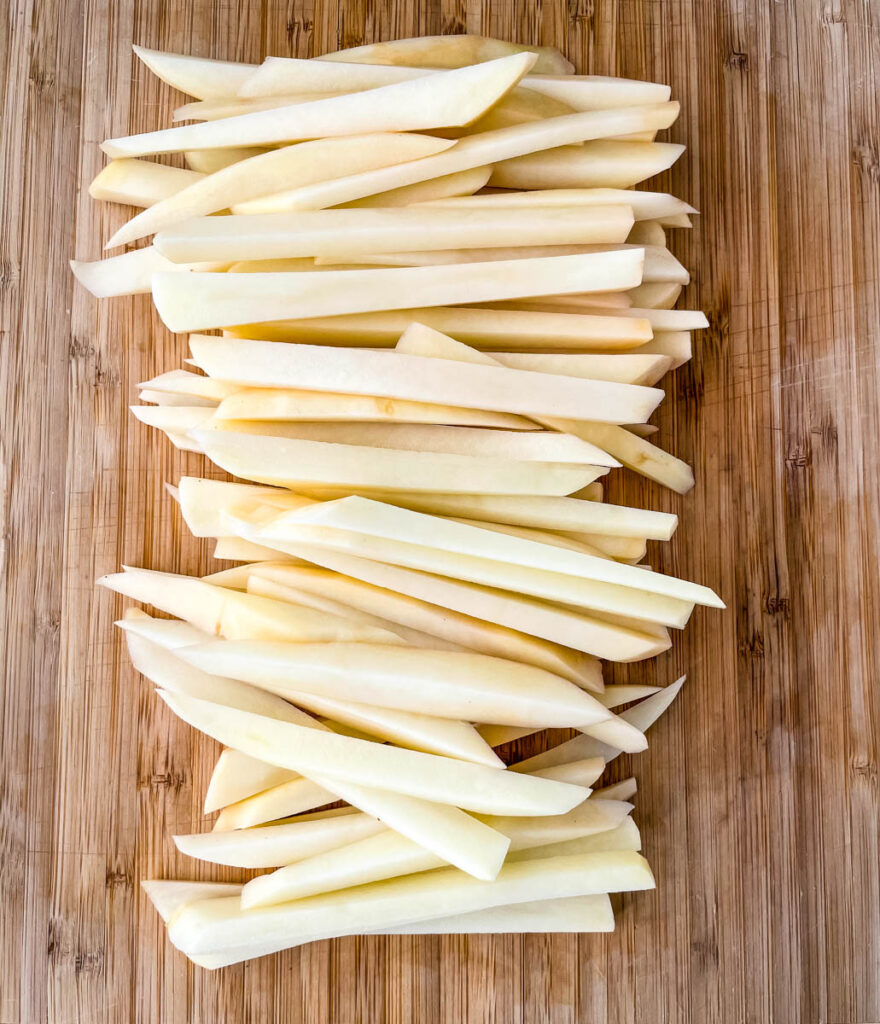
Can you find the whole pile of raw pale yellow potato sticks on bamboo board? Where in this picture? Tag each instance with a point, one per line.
(444, 311)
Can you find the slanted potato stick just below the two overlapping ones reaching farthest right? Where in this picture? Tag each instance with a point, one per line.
(560, 625)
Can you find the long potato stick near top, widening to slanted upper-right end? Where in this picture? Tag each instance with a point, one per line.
(434, 102)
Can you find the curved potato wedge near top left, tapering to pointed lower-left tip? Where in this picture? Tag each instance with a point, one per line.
(269, 173)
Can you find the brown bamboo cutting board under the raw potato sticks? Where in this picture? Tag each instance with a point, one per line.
(759, 799)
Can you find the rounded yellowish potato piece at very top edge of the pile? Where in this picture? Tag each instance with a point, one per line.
(450, 52)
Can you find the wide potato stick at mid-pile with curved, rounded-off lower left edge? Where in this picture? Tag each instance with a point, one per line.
(308, 465)
